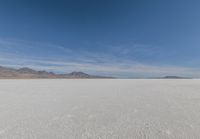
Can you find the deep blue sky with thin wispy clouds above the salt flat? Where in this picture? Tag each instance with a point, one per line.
(121, 38)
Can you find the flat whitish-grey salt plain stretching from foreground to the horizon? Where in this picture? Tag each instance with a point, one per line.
(100, 109)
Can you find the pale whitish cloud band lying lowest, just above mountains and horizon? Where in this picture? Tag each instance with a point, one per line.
(123, 69)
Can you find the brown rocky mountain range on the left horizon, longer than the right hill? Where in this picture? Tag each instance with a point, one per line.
(28, 73)
